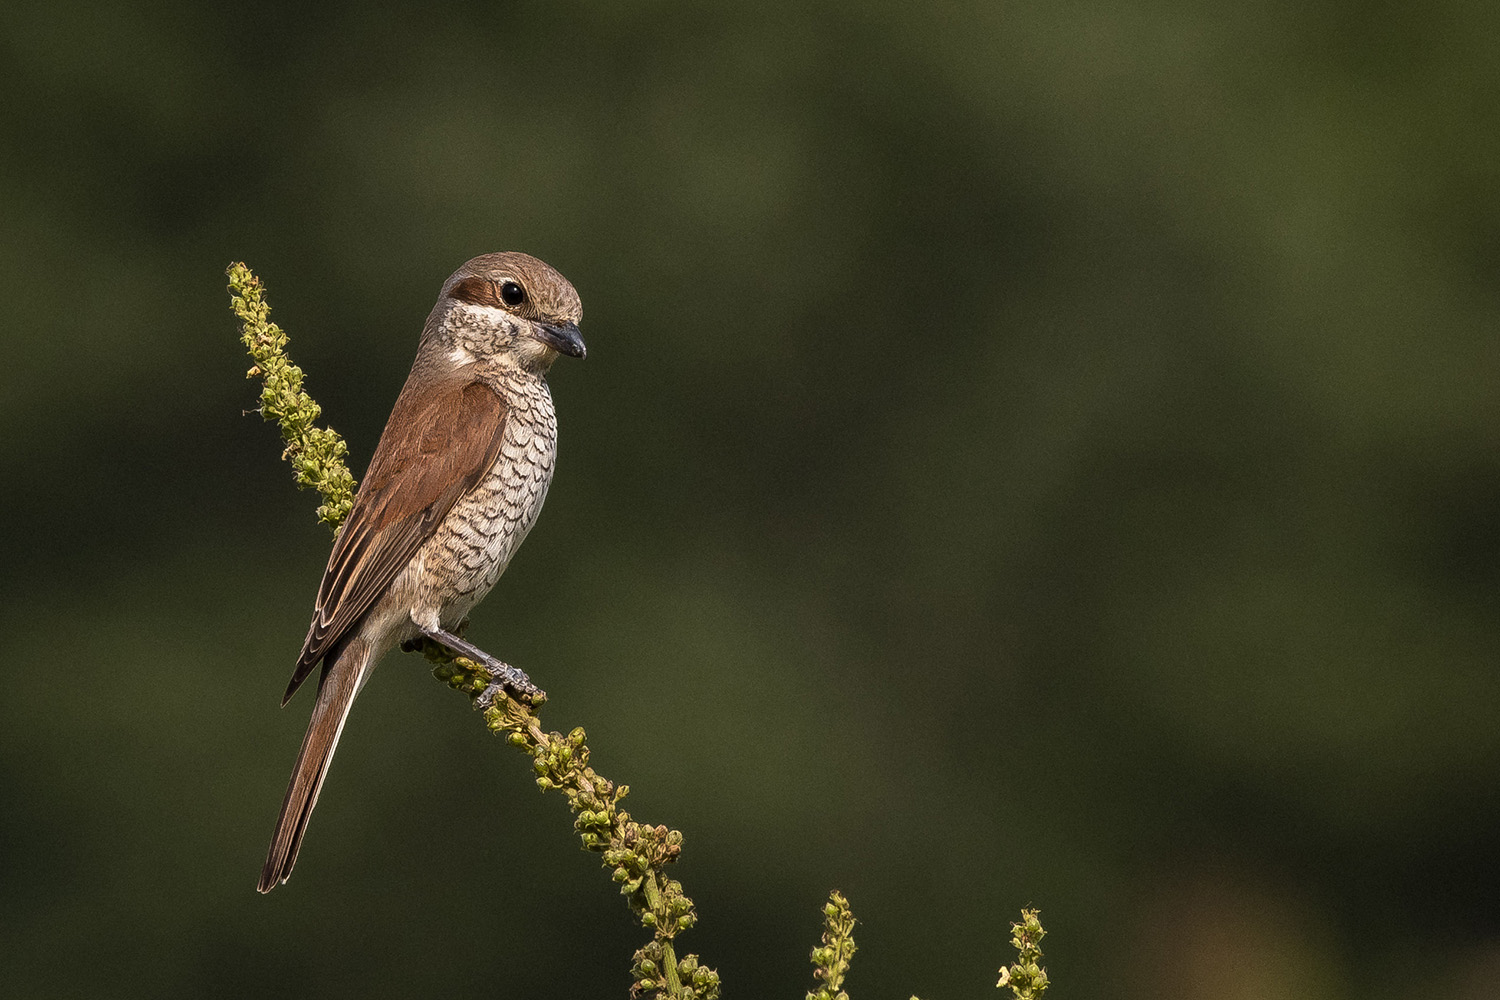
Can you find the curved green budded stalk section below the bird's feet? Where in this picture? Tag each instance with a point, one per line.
(637, 854)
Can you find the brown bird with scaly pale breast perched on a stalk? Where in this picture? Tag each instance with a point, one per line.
(452, 490)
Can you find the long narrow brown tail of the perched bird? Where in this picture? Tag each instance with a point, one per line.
(337, 692)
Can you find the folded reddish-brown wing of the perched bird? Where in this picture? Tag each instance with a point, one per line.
(439, 443)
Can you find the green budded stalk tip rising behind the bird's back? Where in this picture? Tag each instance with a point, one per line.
(316, 454)
